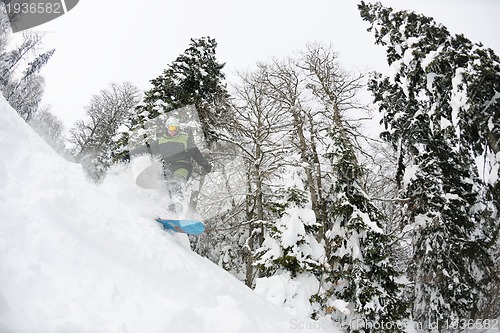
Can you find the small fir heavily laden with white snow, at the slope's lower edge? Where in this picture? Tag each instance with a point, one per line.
(291, 259)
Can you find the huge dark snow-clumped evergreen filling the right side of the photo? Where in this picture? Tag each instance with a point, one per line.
(441, 111)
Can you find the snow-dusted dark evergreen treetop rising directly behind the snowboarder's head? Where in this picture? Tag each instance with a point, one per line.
(194, 78)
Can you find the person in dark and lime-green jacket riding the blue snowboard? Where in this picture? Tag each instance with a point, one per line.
(177, 151)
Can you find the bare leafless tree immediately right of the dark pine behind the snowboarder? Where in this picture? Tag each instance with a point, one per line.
(259, 130)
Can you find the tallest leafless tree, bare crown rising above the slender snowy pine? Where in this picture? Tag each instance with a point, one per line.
(333, 103)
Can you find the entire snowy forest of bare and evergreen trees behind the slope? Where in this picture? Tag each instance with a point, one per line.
(312, 202)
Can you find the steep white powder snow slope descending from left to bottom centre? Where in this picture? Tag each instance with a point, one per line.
(75, 257)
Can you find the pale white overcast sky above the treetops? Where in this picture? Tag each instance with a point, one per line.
(99, 42)
